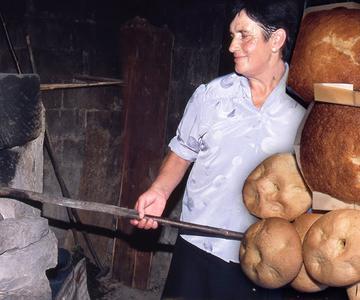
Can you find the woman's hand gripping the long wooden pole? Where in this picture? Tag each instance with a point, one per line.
(152, 202)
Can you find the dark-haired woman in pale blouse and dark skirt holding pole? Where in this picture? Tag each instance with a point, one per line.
(229, 126)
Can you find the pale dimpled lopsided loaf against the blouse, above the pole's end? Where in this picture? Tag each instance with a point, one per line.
(276, 189)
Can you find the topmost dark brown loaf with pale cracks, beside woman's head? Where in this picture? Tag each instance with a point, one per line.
(327, 50)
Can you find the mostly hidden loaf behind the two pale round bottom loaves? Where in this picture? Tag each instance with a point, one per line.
(303, 282)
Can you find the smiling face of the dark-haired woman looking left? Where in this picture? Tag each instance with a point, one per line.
(250, 50)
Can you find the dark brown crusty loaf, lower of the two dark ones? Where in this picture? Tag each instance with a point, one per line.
(330, 151)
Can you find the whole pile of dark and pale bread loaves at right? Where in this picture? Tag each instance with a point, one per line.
(289, 245)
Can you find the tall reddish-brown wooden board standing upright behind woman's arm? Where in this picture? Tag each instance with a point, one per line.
(146, 53)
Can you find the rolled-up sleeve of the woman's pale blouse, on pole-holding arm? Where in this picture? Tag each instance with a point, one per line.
(186, 143)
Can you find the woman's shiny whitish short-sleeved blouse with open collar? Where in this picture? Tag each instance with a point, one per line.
(226, 137)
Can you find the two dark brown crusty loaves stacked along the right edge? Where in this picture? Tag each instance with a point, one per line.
(328, 50)
